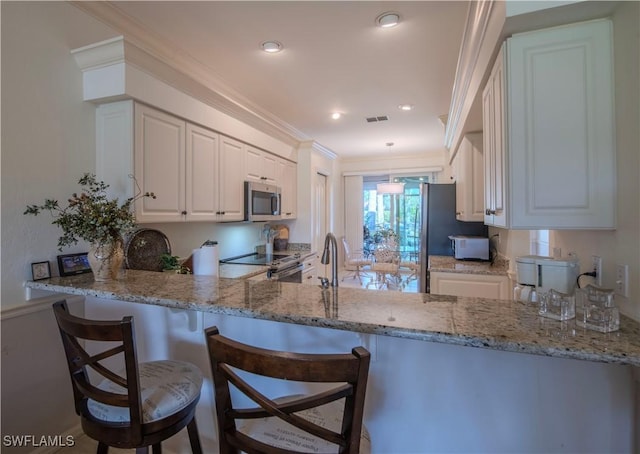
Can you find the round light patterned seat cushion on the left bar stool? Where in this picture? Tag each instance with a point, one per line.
(166, 387)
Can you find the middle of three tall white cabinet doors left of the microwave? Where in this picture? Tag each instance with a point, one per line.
(202, 167)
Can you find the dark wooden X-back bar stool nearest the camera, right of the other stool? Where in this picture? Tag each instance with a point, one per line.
(326, 421)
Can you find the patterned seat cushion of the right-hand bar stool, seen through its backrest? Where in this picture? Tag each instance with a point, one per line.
(278, 433)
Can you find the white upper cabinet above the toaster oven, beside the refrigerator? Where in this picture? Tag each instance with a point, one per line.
(468, 173)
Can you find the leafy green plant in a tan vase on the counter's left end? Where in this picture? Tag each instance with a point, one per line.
(93, 217)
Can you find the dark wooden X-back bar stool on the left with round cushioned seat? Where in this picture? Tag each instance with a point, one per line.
(136, 407)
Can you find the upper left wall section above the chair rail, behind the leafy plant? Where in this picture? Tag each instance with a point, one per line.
(47, 130)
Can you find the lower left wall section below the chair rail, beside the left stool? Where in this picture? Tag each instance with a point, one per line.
(36, 391)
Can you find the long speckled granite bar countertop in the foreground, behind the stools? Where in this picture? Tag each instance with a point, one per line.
(475, 322)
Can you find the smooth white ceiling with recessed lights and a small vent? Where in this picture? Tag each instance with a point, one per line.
(335, 59)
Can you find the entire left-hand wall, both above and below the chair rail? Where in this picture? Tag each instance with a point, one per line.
(47, 143)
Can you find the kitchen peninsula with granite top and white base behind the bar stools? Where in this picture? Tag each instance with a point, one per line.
(428, 390)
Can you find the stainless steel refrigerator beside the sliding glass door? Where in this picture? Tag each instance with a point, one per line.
(438, 222)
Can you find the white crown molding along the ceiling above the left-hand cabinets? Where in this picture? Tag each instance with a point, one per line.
(157, 56)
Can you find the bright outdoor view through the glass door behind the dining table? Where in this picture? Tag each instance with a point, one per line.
(393, 217)
